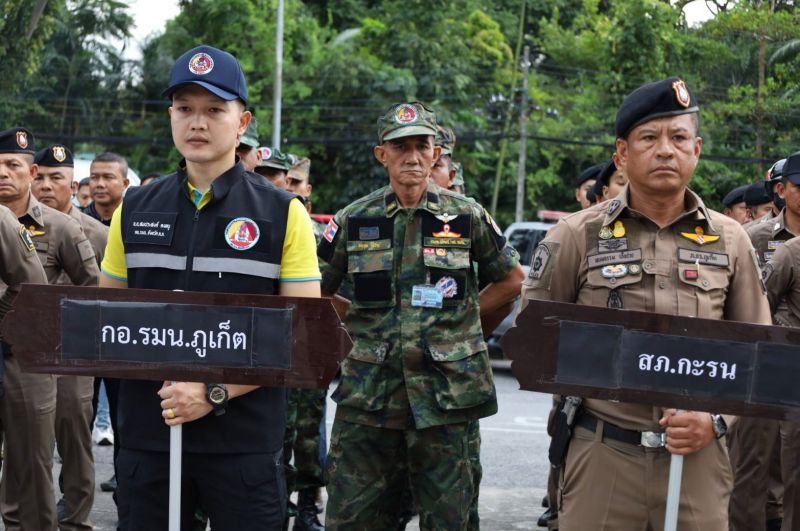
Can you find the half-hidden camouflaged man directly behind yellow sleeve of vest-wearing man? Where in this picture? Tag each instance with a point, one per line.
(305, 411)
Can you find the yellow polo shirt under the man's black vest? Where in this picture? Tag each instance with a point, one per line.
(298, 244)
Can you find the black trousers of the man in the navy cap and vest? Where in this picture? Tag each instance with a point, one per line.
(239, 492)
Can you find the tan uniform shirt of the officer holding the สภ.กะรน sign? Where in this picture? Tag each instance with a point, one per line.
(609, 255)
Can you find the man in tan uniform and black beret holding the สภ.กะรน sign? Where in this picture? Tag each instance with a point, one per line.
(657, 248)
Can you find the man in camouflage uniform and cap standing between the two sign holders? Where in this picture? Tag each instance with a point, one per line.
(418, 374)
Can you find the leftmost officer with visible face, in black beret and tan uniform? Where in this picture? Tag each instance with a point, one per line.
(62, 247)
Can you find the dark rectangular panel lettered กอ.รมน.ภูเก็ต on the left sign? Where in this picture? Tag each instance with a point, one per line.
(214, 336)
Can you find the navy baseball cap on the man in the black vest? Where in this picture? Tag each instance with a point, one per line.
(216, 71)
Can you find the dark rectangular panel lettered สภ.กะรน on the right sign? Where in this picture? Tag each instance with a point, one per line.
(611, 357)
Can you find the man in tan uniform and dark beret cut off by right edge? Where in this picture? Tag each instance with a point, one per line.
(782, 277)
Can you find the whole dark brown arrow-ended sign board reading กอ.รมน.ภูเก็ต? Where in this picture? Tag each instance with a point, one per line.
(185, 336)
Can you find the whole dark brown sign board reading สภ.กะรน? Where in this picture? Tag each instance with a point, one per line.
(700, 364)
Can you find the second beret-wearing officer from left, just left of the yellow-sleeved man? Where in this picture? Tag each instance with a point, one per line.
(53, 186)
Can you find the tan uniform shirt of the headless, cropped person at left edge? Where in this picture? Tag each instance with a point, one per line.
(18, 261)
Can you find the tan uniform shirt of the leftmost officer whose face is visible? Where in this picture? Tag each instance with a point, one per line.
(61, 245)
